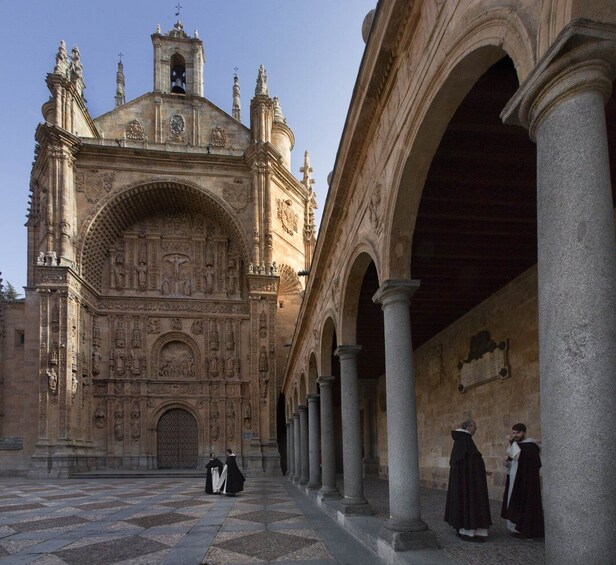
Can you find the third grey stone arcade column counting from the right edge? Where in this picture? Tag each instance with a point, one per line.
(353, 501)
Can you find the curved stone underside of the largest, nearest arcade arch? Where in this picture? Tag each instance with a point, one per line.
(485, 38)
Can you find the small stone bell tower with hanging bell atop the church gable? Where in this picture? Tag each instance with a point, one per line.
(178, 62)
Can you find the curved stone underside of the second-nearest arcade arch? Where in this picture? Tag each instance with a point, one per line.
(360, 260)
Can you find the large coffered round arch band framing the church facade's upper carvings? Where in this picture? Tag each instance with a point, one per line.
(136, 202)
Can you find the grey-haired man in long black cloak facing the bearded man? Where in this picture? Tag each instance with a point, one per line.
(467, 508)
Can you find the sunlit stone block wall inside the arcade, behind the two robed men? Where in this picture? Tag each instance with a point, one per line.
(510, 314)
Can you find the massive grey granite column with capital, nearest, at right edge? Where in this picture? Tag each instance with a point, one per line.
(562, 103)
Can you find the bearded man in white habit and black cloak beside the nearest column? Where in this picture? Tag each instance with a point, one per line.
(522, 506)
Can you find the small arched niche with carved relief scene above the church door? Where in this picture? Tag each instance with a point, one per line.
(176, 356)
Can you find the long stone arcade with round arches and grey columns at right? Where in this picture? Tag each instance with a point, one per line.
(465, 266)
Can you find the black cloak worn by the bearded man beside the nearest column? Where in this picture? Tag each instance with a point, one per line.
(525, 509)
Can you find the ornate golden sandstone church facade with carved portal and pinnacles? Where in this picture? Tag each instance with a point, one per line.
(164, 241)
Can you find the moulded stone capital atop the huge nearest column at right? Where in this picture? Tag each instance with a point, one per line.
(582, 58)
